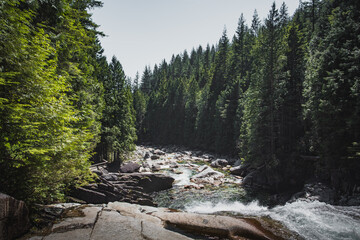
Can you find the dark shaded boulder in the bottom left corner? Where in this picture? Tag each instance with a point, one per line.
(14, 217)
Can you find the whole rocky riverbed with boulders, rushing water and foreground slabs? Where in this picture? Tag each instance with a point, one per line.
(172, 193)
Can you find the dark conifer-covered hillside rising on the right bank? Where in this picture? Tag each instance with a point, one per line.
(282, 94)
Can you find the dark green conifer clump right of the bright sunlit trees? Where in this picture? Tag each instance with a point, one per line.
(118, 124)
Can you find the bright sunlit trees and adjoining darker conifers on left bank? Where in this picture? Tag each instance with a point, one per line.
(54, 86)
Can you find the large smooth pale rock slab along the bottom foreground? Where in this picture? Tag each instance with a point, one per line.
(125, 221)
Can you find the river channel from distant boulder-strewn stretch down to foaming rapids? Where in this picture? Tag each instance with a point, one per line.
(224, 195)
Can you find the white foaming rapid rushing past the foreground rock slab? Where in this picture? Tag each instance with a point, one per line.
(311, 220)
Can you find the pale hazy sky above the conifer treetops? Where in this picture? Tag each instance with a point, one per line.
(144, 32)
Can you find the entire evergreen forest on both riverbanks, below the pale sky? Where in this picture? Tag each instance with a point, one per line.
(283, 95)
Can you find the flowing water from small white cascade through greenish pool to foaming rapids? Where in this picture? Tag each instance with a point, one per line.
(311, 220)
